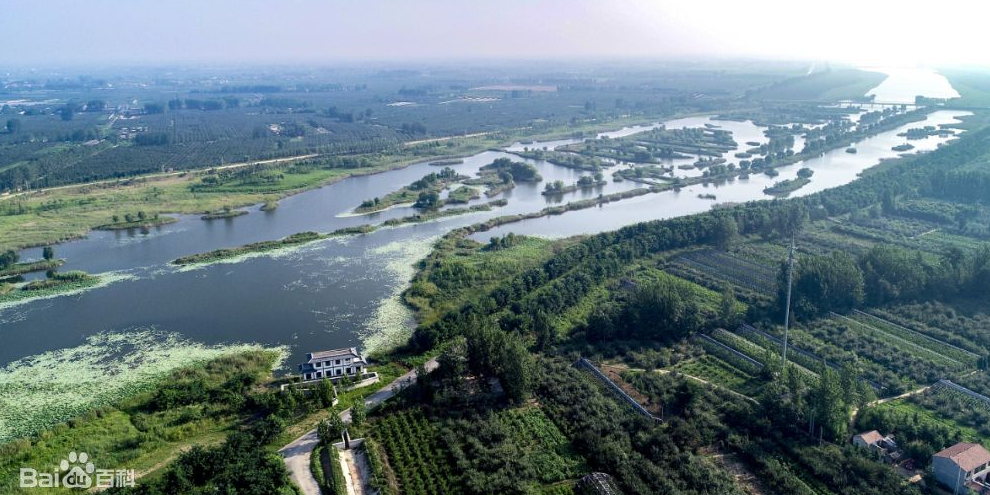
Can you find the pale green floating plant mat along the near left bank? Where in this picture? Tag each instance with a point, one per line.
(38, 392)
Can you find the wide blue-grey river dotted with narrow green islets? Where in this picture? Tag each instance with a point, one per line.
(345, 291)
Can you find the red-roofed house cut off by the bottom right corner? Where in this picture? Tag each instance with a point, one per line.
(963, 468)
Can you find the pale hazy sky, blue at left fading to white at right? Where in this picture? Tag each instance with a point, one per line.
(43, 32)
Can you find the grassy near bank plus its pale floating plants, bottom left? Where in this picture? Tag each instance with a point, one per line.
(141, 421)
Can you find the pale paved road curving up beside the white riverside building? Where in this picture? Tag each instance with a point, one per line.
(297, 454)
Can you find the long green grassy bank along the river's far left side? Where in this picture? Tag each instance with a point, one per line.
(37, 218)
